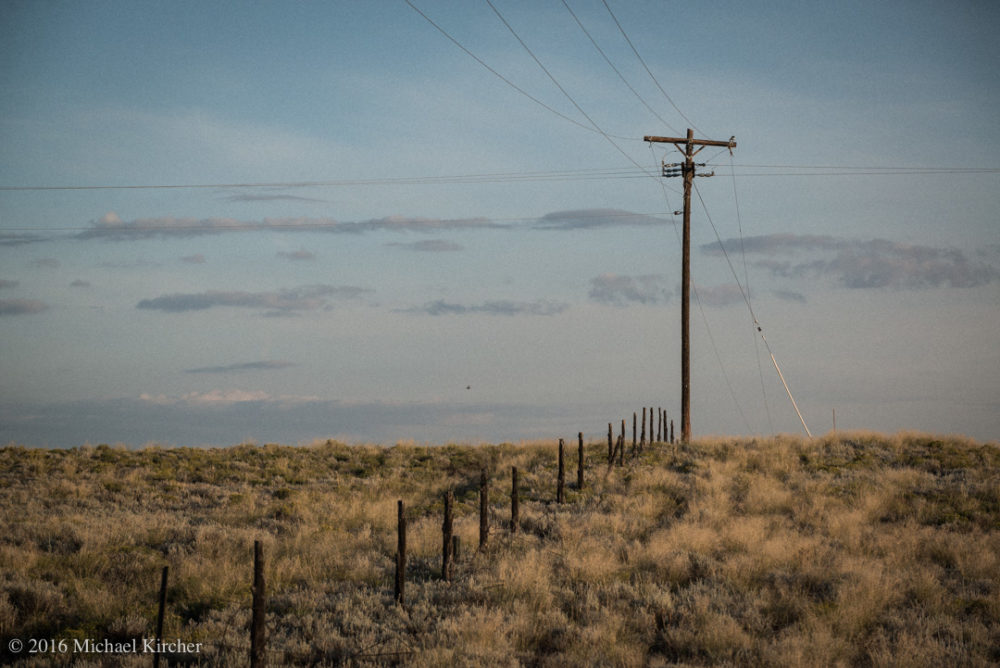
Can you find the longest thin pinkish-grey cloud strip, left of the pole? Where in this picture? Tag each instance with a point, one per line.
(111, 227)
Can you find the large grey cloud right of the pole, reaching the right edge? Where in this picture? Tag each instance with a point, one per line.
(877, 263)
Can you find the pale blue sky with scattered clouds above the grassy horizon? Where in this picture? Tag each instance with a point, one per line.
(439, 222)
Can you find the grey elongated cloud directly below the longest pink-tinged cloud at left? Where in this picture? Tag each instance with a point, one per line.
(303, 298)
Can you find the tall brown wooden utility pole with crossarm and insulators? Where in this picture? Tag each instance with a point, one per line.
(686, 145)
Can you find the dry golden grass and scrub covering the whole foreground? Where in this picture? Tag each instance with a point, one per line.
(852, 549)
